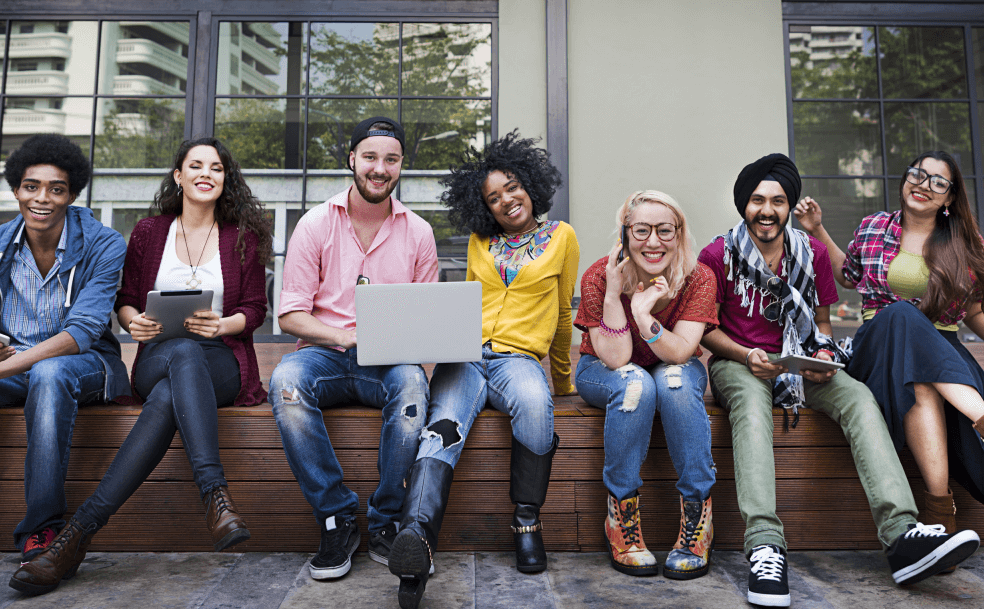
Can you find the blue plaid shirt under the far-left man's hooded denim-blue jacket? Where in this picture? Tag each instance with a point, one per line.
(34, 310)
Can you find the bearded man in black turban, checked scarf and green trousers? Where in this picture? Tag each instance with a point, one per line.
(774, 293)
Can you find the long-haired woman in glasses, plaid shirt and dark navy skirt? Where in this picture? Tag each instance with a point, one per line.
(918, 273)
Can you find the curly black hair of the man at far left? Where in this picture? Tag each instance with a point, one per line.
(49, 149)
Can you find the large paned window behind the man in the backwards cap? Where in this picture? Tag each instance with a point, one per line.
(435, 78)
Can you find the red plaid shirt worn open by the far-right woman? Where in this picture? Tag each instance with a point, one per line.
(876, 243)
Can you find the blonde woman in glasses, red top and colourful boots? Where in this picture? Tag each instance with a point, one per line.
(644, 309)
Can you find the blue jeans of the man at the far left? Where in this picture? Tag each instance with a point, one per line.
(51, 391)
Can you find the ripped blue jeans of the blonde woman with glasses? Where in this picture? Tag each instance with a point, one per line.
(631, 396)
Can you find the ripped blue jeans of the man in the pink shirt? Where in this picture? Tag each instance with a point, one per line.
(318, 377)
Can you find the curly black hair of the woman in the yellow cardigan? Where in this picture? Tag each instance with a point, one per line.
(513, 156)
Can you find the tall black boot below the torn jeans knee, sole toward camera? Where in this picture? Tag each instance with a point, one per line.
(423, 510)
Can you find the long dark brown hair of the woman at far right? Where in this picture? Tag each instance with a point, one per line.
(953, 248)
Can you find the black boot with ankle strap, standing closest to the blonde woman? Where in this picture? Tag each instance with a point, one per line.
(528, 480)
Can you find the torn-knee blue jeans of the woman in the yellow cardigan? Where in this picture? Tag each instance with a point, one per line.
(511, 382)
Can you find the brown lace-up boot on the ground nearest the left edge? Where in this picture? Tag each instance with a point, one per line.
(59, 561)
